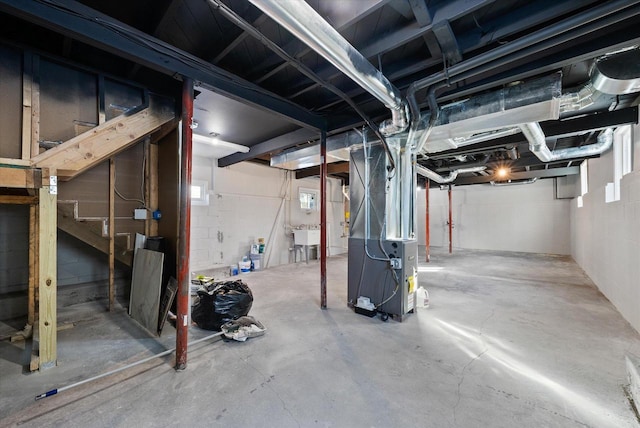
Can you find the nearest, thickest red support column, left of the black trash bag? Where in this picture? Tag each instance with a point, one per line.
(184, 228)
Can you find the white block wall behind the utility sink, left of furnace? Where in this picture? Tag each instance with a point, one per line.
(248, 201)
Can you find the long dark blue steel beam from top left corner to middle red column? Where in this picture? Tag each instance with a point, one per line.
(96, 29)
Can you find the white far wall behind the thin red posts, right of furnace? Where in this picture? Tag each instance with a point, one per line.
(524, 218)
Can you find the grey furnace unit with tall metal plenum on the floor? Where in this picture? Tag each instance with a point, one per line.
(382, 246)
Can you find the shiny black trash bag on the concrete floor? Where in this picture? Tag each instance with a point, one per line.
(221, 302)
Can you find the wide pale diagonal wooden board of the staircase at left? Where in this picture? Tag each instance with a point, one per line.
(91, 148)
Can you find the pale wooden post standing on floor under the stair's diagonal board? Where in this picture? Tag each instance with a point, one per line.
(47, 275)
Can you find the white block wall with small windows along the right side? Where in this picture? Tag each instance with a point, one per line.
(605, 238)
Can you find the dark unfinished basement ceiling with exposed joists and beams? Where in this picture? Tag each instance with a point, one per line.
(261, 87)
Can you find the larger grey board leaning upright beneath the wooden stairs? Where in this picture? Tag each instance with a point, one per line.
(146, 284)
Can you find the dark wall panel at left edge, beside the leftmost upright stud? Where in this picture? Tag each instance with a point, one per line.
(11, 105)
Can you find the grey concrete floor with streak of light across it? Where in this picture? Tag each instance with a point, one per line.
(509, 340)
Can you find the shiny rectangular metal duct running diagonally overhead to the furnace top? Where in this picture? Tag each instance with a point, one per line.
(307, 25)
